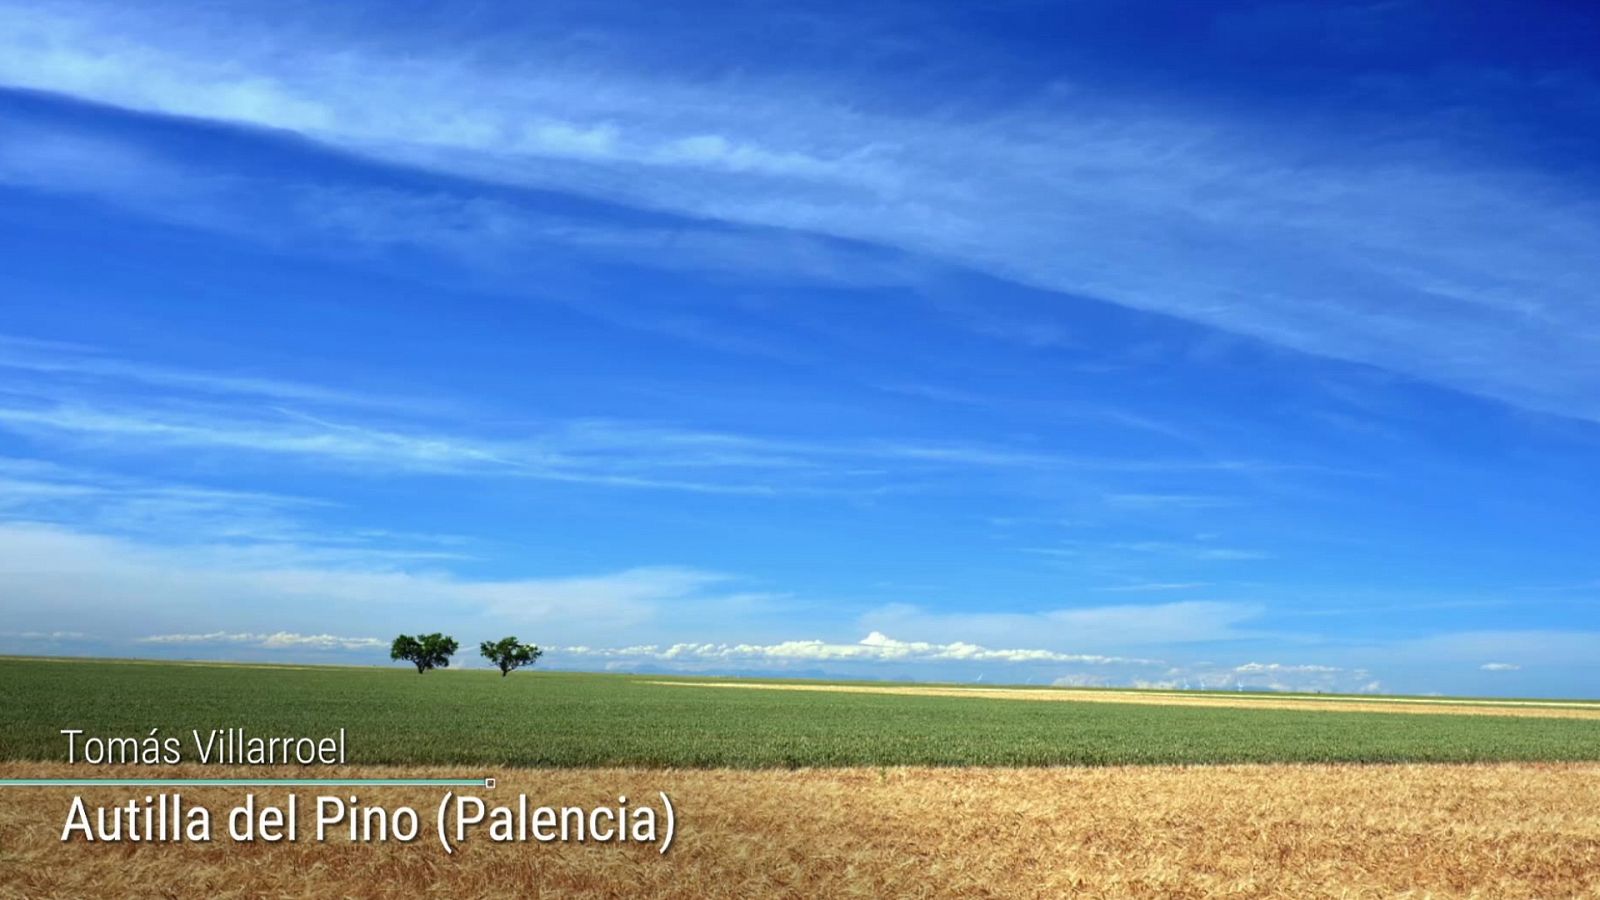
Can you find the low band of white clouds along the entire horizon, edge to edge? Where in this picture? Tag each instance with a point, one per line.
(670, 617)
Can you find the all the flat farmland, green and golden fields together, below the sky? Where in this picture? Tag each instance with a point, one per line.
(839, 790)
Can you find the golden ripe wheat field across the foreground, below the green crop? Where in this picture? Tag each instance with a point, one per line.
(1511, 830)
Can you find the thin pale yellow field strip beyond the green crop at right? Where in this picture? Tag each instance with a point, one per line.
(1532, 709)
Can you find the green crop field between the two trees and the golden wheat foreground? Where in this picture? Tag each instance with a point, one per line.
(396, 717)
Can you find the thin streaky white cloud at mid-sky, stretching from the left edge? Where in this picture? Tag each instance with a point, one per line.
(82, 401)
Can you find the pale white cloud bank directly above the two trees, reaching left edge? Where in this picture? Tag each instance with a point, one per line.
(54, 576)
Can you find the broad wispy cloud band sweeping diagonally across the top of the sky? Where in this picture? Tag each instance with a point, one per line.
(1433, 267)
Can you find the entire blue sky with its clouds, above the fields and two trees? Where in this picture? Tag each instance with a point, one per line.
(1215, 345)
